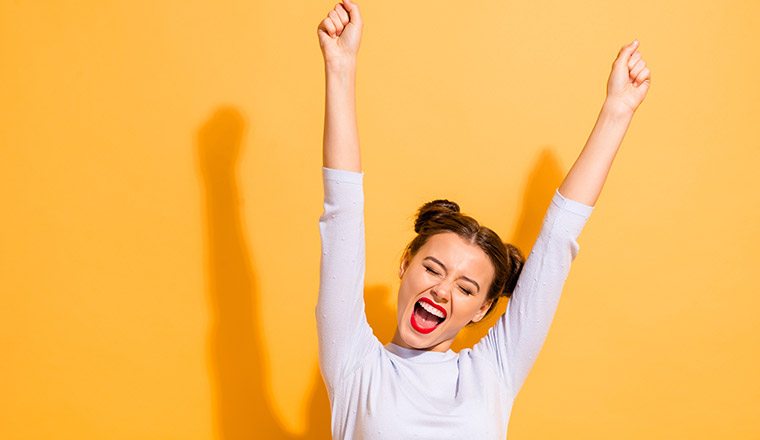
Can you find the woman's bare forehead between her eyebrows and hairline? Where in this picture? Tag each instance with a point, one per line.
(458, 255)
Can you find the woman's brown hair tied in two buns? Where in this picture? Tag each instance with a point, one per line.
(443, 216)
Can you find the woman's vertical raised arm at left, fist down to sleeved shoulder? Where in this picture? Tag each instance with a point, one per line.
(345, 338)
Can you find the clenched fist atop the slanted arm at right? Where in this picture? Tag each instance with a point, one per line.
(629, 80)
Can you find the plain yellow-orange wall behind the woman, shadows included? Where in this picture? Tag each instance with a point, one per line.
(160, 188)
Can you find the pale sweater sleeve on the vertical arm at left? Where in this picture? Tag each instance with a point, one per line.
(342, 329)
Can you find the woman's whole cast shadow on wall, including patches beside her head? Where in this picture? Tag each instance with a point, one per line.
(242, 406)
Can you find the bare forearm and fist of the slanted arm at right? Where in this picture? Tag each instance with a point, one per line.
(626, 88)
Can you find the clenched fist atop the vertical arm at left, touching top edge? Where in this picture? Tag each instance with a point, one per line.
(341, 32)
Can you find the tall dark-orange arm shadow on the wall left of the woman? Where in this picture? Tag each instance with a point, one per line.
(242, 407)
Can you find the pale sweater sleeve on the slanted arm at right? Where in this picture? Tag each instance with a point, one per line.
(514, 342)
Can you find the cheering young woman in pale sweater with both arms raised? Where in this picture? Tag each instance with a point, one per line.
(451, 274)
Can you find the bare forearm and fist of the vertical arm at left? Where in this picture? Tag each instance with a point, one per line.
(339, 38)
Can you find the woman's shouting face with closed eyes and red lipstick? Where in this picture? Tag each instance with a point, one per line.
(443, 288)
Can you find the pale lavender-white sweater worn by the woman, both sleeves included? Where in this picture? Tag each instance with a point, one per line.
(390, 392)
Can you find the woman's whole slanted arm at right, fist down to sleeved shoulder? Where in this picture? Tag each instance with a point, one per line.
(516, 339)
